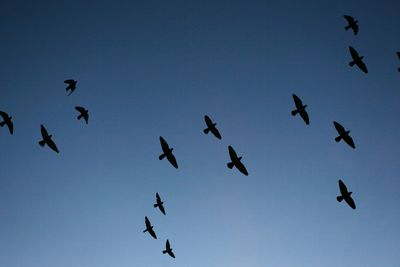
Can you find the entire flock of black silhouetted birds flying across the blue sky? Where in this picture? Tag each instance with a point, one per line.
(300, 109)
